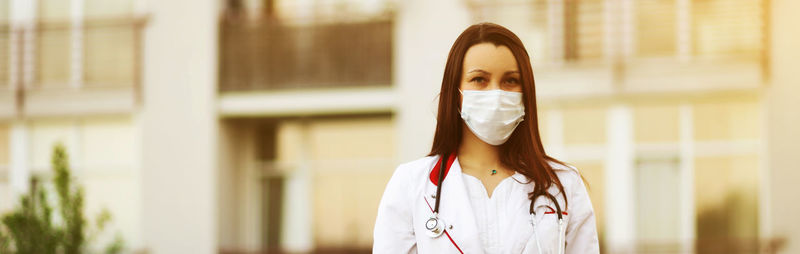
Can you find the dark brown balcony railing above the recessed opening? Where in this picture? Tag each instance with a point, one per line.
(273, 55)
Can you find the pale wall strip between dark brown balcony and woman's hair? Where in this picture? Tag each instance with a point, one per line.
(423, 35)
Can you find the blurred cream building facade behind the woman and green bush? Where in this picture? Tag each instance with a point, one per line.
(272, 126)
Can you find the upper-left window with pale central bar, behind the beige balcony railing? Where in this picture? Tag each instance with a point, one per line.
(105, 35)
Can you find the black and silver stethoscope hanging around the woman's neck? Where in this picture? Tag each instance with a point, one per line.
(436, 225)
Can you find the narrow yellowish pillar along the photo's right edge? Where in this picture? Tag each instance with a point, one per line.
(782, 125)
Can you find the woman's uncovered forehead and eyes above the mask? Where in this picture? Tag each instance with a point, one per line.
(490, 67)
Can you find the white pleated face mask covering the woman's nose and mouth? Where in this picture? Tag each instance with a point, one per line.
(492, 115)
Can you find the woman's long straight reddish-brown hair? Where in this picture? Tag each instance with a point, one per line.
(523, 151)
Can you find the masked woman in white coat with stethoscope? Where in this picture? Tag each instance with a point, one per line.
(500, 192)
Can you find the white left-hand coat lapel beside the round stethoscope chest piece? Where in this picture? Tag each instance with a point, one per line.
(455, 208)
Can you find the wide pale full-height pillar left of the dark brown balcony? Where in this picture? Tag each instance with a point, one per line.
(179, 127)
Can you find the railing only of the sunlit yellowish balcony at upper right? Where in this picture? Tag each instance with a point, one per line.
(590, 29)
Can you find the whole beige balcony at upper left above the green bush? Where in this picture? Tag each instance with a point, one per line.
(57, 68)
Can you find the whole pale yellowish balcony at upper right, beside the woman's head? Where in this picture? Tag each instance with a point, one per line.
(601, 48)
